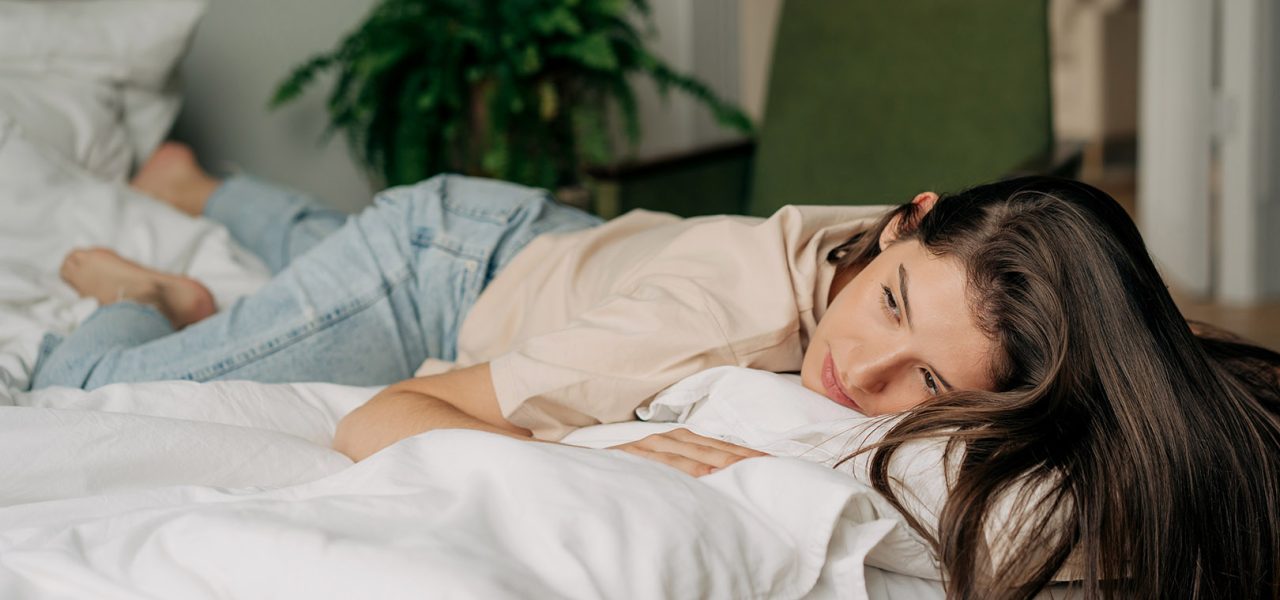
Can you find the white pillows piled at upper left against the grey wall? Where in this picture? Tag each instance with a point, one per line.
(95, 80)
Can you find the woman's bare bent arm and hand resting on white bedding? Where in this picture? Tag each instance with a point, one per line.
(467, 400)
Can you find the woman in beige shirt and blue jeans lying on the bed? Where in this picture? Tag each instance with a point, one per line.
(1021, 320)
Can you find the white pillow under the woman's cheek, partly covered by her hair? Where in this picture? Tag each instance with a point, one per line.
(775, 414)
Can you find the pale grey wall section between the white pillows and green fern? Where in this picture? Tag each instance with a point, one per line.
(243, 49)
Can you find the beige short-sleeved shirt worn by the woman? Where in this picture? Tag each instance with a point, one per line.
(587, 327)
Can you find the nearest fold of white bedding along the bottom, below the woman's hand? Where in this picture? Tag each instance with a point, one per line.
(450, 515)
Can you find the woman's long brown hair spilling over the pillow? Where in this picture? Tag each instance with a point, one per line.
(1141, 455)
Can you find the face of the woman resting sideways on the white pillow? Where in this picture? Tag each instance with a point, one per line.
(898, 335)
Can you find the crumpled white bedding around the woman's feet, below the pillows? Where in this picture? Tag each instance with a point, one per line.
(51, 207)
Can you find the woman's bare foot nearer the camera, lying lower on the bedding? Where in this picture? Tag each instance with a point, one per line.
(100, 273)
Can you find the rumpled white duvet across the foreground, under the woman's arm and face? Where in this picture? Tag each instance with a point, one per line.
(230, 491)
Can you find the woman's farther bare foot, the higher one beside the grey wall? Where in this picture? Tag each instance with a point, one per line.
(173, 177)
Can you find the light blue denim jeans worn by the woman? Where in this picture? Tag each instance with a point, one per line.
(359, 301)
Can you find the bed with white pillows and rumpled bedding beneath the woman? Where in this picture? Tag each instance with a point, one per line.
(230, 489)
